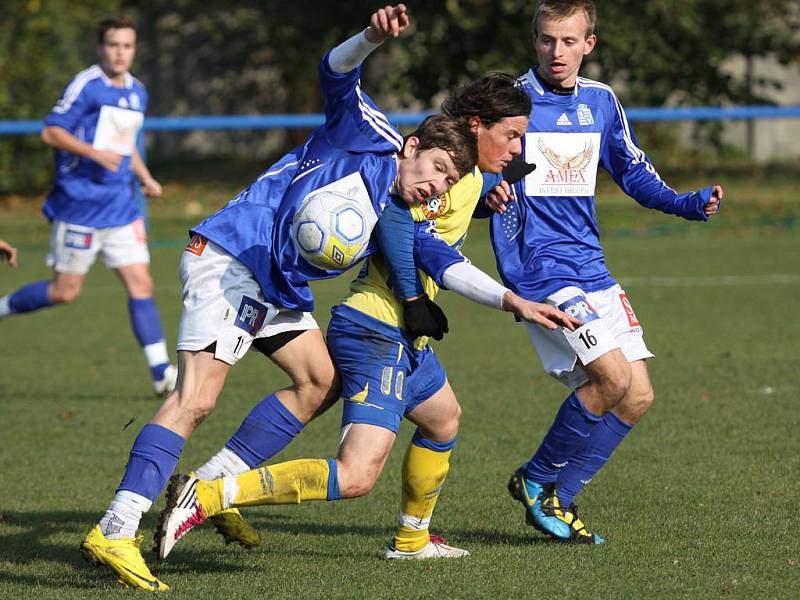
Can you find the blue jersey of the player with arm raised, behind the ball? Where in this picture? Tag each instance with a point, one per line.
(352, 153)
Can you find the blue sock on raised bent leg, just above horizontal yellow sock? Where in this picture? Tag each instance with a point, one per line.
(267, 430)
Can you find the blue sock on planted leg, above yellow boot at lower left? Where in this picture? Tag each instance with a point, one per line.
(152, 460)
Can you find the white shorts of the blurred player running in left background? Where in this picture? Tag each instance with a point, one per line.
(74, 248)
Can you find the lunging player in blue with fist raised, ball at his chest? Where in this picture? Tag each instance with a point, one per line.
(245, 283)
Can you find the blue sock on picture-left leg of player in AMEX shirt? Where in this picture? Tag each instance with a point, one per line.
(572, 426)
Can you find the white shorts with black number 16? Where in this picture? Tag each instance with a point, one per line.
(609, 323)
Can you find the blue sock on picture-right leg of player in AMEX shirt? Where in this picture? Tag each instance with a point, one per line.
(591, 457)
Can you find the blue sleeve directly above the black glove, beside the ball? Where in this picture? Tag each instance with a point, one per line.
(395, 236)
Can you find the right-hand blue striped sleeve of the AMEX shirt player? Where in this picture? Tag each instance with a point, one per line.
(633, 171)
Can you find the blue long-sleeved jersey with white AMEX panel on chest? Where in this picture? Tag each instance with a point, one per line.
(549, 237)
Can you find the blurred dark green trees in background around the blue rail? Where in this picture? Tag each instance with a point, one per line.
(211, 57)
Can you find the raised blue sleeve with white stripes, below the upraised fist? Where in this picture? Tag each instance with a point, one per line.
(352, 120)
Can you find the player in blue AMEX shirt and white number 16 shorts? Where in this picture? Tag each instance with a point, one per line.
(547, 246)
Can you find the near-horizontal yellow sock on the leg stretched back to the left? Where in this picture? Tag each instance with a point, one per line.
(291, 482)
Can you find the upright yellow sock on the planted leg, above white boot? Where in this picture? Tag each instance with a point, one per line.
(424, 472)
